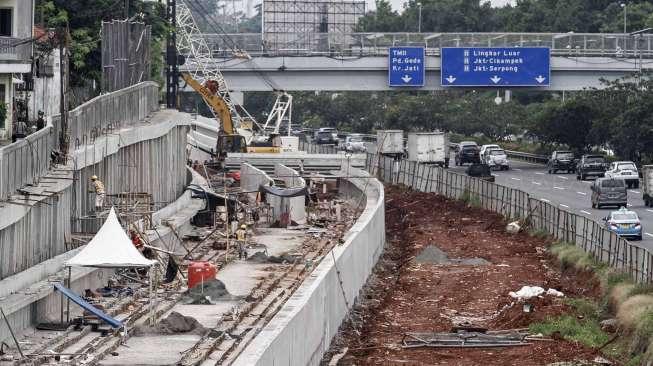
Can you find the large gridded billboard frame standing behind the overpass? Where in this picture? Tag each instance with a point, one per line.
(325, 25)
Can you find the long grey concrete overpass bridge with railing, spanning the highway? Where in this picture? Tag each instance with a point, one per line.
(359, 61)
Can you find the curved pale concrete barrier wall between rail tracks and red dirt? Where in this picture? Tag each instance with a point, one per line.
(302, 330)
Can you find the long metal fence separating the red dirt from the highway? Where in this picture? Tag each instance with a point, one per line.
(512, 203)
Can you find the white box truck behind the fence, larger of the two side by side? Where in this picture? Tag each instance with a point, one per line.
(429, 147)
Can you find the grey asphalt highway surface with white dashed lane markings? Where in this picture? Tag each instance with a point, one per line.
(569, 193)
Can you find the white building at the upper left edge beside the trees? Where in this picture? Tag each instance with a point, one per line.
(16, 23)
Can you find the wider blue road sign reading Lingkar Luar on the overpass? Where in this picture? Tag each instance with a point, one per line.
(499, 67)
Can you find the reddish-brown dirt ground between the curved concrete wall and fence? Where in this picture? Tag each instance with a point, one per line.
(416, 291)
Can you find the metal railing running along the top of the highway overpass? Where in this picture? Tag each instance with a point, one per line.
(377, 44)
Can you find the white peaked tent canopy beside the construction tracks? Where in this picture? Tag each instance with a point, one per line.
(110, 248)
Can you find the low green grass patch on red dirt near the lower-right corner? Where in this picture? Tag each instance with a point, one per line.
(585, 331)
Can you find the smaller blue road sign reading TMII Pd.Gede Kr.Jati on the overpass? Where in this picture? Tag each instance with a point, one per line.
(406, 66)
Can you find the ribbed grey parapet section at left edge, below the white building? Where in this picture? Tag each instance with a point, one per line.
(25, 161)
